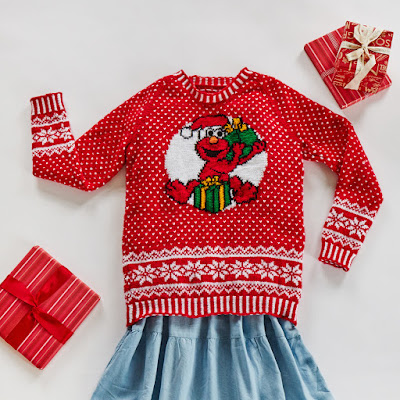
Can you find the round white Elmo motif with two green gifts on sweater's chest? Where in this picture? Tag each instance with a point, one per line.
(214, 163)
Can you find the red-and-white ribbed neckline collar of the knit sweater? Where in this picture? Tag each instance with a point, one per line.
(230, 85)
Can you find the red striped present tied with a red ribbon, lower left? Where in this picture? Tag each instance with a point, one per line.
(41, 305)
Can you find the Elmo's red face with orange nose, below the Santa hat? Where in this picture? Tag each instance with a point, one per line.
(211, 144)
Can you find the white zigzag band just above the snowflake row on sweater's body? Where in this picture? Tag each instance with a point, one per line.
(209, 251)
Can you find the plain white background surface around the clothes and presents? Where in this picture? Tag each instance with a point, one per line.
(99, 54)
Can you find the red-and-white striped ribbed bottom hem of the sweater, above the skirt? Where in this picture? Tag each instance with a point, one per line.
(194, 307)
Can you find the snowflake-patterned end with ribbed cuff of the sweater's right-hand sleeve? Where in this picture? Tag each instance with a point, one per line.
(344, 232)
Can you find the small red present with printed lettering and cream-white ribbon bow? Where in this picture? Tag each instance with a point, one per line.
(363, 57)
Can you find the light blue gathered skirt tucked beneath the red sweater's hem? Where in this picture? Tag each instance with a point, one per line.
(220, 357)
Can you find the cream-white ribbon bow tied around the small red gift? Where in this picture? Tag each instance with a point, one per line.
(364, 35)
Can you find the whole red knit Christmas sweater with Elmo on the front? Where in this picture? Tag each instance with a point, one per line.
(214, 189)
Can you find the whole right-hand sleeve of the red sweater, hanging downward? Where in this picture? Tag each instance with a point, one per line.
(330, 138)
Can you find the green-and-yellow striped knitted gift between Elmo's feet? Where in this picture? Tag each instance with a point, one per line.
(212, 195)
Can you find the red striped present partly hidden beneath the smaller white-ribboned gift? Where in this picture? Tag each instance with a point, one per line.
(322, 53)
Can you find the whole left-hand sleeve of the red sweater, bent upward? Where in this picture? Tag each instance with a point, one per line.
(90, 161)
